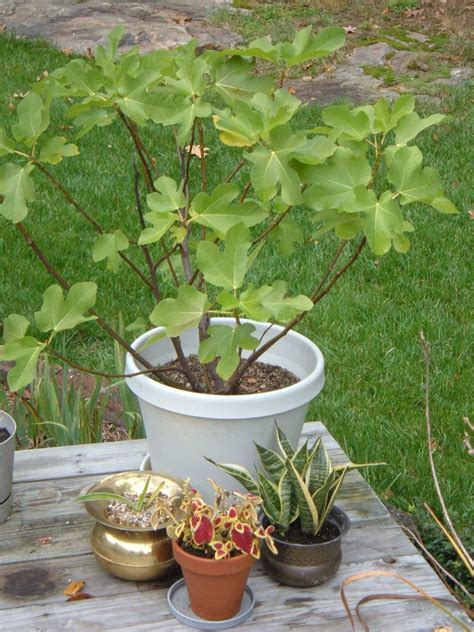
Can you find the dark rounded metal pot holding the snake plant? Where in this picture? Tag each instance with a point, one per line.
(304, 565)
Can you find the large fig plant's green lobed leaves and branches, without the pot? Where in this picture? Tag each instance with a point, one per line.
(354, 176)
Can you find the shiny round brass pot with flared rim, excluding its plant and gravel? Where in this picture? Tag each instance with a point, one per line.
(134, 553)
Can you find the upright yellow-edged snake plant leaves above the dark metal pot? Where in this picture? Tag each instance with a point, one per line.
(295, 486)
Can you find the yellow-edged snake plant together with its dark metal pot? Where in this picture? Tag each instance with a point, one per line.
(299, 488)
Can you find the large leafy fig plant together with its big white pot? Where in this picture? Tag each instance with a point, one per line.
(224, 360)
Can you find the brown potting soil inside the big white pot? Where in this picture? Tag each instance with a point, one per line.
(259, 377)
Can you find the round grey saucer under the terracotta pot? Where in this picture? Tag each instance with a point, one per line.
(178, 602)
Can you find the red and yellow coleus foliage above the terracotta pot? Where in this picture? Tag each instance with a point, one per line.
(220, 530)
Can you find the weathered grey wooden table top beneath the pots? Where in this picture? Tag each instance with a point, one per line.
(45, 544)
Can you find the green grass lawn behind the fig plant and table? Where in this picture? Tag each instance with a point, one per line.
(367, 328)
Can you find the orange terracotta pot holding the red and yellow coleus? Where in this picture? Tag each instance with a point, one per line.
(215, 587)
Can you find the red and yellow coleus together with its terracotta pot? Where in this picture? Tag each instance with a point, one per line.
(216, 545)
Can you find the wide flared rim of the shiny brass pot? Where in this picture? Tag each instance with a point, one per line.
(132, 482)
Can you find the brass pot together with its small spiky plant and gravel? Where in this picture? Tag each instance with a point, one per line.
(129, 537)
